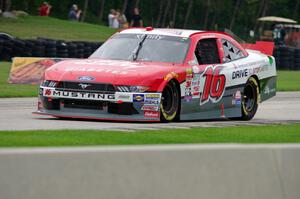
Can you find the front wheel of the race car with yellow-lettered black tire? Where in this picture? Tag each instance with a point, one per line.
(170, 103)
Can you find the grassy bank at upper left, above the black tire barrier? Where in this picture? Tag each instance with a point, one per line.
(33, 26)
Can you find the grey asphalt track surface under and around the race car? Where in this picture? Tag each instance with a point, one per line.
(16, 114)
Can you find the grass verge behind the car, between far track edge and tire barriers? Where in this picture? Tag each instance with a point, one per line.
(287, 81)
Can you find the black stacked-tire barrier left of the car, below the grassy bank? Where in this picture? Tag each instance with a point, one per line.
(43, 47)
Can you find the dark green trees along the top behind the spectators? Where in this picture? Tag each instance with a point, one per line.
(238, 15)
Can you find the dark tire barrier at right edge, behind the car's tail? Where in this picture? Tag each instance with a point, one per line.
(287, 58)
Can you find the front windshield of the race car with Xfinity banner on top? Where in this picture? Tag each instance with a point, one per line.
(141, 47)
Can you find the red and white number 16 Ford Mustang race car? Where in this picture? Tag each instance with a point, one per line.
(147, 74)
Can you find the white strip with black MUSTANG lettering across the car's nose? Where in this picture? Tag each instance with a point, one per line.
(78, 95)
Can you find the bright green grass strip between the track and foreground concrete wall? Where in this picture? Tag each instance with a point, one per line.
(243, 134)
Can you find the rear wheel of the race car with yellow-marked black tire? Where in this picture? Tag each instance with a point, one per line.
(250, 99)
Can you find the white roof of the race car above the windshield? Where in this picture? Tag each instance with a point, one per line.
(162, 31)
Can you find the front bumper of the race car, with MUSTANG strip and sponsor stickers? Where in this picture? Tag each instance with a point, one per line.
(121, 106)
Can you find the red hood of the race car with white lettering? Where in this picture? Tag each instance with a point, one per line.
(111, 71)
